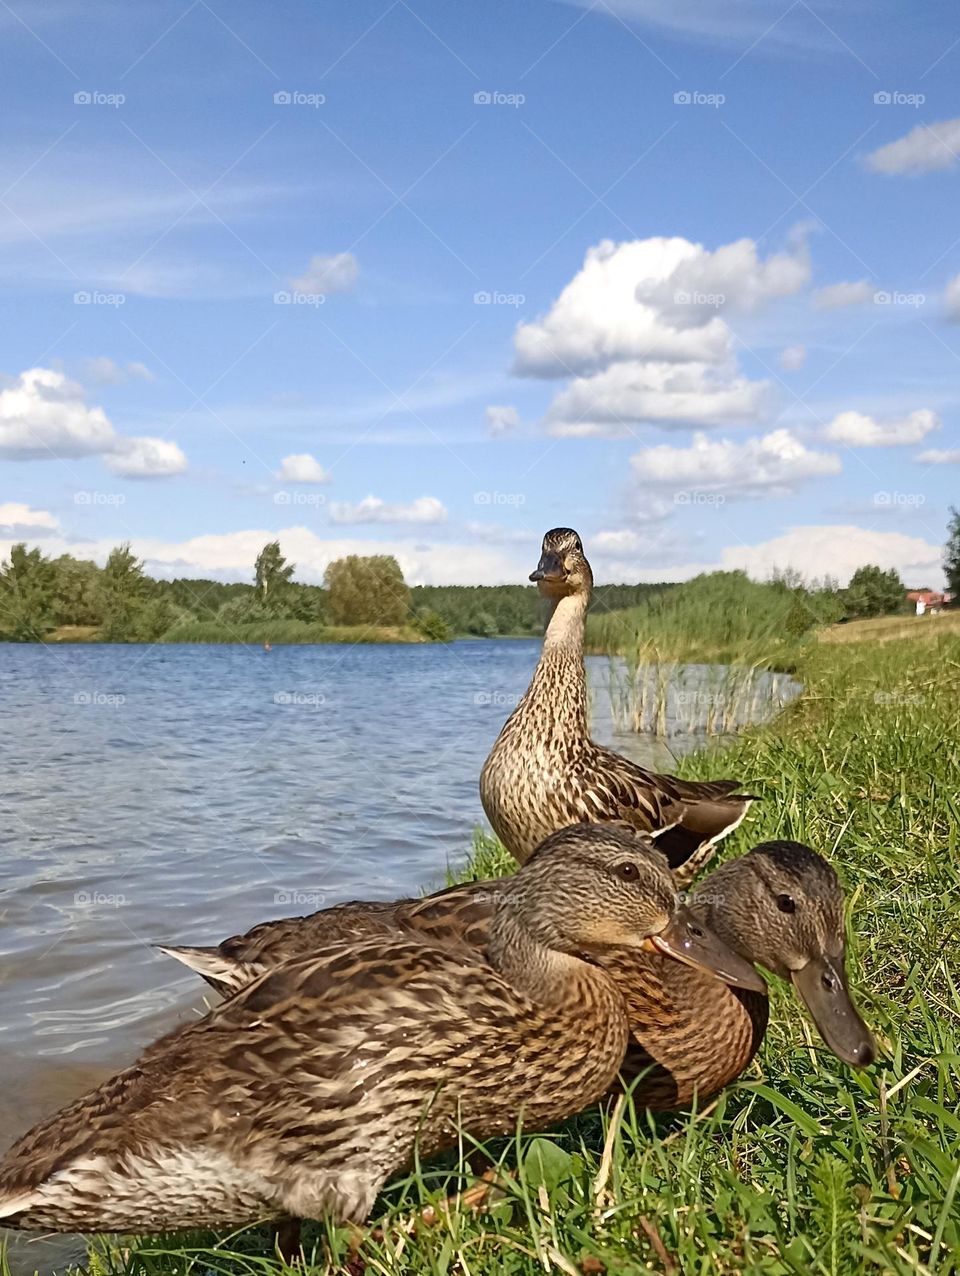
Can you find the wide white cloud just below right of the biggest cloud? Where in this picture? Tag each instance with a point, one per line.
(768, 464)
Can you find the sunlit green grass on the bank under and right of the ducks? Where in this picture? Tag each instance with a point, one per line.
(804, 1167)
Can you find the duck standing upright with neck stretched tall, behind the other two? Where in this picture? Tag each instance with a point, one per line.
(544, 771)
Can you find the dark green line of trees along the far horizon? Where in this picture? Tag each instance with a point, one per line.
(119, 603)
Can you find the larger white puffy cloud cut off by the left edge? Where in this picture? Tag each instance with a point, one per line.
(45, 417)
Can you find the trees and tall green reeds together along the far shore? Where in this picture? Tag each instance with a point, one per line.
(718, 618)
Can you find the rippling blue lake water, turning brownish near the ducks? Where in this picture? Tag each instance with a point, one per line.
(184, 793)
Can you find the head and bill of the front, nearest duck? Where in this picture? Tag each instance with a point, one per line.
(597, 886)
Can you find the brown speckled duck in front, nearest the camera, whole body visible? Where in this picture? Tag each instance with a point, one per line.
(299, 1097)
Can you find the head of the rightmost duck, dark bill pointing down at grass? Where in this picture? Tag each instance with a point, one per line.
(782, 907)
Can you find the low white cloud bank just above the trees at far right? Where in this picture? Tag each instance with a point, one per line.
(838, 552)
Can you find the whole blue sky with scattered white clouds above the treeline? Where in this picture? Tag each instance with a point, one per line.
(430, 279)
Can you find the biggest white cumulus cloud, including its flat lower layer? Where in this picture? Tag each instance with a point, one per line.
(641, 335)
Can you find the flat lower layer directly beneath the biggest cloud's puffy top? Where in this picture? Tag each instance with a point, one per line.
(667, 395)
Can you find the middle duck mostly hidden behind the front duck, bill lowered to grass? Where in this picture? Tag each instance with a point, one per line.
(779, 907)
